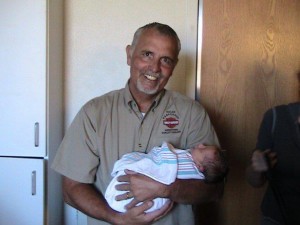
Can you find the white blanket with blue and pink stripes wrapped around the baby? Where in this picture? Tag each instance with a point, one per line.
(163, 164)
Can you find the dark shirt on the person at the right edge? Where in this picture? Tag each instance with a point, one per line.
(279, 131)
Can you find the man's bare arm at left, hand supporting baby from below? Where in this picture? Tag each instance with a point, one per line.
(88, 200)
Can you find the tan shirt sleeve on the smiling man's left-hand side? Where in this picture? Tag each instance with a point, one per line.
(76, 157)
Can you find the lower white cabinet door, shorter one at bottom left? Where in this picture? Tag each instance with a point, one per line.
(21, 191)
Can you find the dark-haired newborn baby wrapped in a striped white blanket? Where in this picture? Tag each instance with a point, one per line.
(165, 164)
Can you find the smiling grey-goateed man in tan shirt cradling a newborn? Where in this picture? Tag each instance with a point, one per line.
(140, 116)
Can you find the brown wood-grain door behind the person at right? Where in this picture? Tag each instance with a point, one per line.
(250, 62)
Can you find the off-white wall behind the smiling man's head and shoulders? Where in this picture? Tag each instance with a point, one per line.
(96, 34)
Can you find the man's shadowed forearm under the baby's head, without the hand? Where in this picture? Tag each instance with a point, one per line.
(194, 191)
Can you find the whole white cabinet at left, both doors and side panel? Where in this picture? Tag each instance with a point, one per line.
(31, 125)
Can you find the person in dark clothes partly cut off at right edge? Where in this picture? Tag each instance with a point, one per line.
(275, 162)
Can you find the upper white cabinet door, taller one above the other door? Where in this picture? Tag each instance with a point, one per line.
(22, 77)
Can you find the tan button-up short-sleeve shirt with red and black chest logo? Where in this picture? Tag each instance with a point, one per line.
(111, 125)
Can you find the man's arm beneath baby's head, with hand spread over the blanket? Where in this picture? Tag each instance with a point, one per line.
(143, 188)
